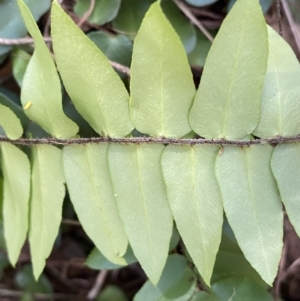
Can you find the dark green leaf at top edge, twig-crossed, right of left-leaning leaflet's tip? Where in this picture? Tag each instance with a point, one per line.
(104, 10)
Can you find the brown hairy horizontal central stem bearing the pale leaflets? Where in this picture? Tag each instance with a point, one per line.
(150, 140)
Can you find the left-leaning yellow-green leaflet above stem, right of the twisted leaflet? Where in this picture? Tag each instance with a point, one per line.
(98, 93)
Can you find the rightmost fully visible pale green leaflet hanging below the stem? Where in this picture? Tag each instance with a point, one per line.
(252, 205)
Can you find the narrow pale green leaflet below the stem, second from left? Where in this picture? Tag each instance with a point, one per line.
(47, 195)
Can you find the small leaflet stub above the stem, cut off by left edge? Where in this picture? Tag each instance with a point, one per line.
(10, 123)
